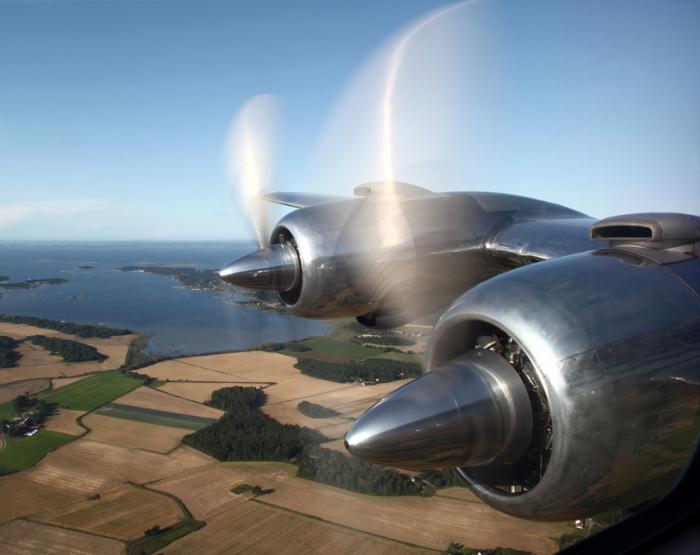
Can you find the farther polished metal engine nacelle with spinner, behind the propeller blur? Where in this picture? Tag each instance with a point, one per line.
(388, 259)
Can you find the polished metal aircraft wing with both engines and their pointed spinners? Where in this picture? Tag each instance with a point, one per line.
(563, 379)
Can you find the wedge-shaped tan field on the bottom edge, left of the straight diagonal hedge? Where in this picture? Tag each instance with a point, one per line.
(253, 528)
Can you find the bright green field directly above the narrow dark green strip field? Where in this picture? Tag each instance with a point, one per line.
(93, 391)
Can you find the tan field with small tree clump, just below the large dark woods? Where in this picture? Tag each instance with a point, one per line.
(206, 490)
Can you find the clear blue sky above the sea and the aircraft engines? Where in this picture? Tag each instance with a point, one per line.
(114, 114)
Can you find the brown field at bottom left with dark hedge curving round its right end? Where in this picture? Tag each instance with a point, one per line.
(123, 513)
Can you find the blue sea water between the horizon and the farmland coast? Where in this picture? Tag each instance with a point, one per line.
(181, 321)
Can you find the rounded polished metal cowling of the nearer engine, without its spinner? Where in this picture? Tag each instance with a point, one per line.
(613, 343)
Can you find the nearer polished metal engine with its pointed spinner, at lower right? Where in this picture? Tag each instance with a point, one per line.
(559, 390)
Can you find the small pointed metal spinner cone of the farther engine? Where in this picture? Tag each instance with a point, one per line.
(275, 267)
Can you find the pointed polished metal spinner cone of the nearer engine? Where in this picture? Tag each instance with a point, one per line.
(471, 411)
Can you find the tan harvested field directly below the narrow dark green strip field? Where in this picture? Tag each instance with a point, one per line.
(133, 434)
